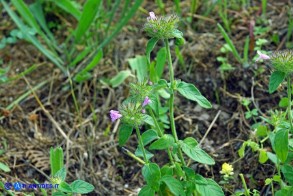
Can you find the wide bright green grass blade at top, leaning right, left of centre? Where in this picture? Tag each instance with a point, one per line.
(88, 15)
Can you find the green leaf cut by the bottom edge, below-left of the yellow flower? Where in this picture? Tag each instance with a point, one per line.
(211, 188)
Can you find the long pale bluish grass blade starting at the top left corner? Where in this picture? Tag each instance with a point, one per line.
(55, 59)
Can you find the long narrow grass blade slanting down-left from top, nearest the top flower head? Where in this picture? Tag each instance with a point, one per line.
(119, 26)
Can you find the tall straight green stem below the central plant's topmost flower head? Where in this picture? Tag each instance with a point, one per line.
(171, 101)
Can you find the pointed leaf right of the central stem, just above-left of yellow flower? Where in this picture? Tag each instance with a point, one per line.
(196, 153)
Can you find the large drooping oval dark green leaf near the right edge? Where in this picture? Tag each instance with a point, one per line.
(282, 144)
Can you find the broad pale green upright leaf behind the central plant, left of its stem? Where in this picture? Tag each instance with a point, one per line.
(139, 65)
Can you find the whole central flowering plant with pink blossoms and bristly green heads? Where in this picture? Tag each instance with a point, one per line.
(143, 109)
